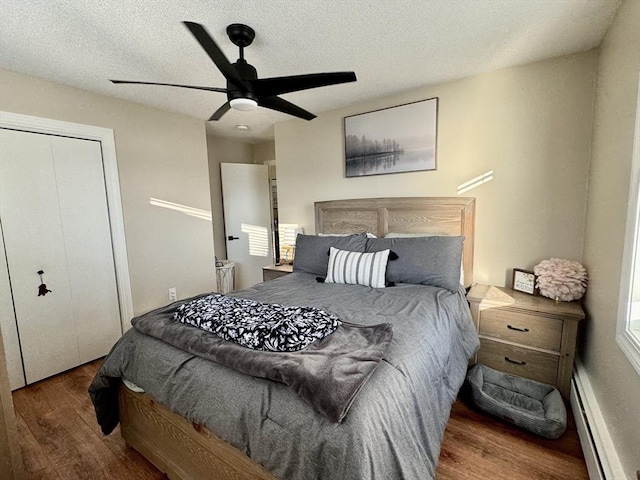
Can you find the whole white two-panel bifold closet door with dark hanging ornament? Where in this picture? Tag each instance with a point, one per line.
(54, 216)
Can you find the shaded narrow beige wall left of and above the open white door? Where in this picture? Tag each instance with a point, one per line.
(222, 150)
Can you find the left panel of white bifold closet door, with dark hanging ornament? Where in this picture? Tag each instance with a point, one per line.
(34, 241)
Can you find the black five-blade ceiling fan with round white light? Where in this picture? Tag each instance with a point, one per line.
(245, 91)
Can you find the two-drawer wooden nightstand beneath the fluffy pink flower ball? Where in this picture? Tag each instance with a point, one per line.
(525, 335)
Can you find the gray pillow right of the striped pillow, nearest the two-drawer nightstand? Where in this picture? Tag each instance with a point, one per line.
(422, 260)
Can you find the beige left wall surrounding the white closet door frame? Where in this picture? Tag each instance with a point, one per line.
(161, 155)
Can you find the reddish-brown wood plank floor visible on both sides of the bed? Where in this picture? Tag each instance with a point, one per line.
(61, 440)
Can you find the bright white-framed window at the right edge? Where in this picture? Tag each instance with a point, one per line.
(628, 330)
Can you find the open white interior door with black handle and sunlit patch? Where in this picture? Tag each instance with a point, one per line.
(247, 220)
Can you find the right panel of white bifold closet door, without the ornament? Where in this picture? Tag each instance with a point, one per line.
(85, 222)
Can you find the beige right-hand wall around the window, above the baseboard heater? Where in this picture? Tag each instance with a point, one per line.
(614, 380)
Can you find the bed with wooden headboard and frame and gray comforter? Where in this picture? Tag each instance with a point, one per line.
(202, 420)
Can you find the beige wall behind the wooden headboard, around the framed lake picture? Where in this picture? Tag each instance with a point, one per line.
(531, 125)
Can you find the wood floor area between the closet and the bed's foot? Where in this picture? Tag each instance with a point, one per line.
(61, 439)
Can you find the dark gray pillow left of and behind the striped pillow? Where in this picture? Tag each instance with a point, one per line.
(312, 252)
